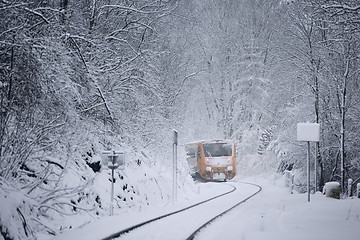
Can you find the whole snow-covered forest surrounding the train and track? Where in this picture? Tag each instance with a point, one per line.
(78, 77)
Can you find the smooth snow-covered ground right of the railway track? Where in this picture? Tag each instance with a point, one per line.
(276, 214)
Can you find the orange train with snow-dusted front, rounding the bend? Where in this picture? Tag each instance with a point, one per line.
(211, 160)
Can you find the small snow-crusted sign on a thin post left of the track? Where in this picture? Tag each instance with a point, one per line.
(112, 160)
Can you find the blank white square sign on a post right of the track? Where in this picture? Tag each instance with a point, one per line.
(308, 132)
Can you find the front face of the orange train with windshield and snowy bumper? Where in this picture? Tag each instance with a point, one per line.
(220, 160)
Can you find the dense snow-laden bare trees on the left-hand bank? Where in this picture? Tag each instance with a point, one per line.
(75, 77)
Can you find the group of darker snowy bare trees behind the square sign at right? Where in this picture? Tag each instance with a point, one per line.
(326, 54)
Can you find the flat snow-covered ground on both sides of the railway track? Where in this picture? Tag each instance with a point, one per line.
(272, 214)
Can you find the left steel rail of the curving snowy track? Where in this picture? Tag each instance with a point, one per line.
(131, 228)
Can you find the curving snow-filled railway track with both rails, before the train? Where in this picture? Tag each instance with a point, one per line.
(184, 214)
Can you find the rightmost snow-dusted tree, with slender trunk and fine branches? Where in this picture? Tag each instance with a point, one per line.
(342, 40)
